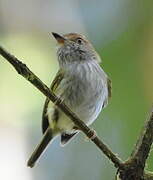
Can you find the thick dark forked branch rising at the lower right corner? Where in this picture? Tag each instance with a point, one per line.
(134, 166)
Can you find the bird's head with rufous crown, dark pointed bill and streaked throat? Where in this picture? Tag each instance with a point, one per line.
(74, 48)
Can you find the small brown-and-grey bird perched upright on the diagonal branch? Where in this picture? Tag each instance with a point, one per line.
(80, 83)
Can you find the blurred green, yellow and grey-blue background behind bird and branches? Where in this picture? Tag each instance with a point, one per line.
(122, 33)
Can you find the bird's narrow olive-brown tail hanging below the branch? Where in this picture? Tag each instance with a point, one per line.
(47, 137)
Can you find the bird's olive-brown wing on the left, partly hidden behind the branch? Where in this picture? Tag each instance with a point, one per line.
(54, 85)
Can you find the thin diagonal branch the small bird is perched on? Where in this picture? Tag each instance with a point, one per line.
(24, 71)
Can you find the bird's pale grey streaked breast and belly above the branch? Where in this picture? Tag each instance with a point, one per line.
(85, 90)
